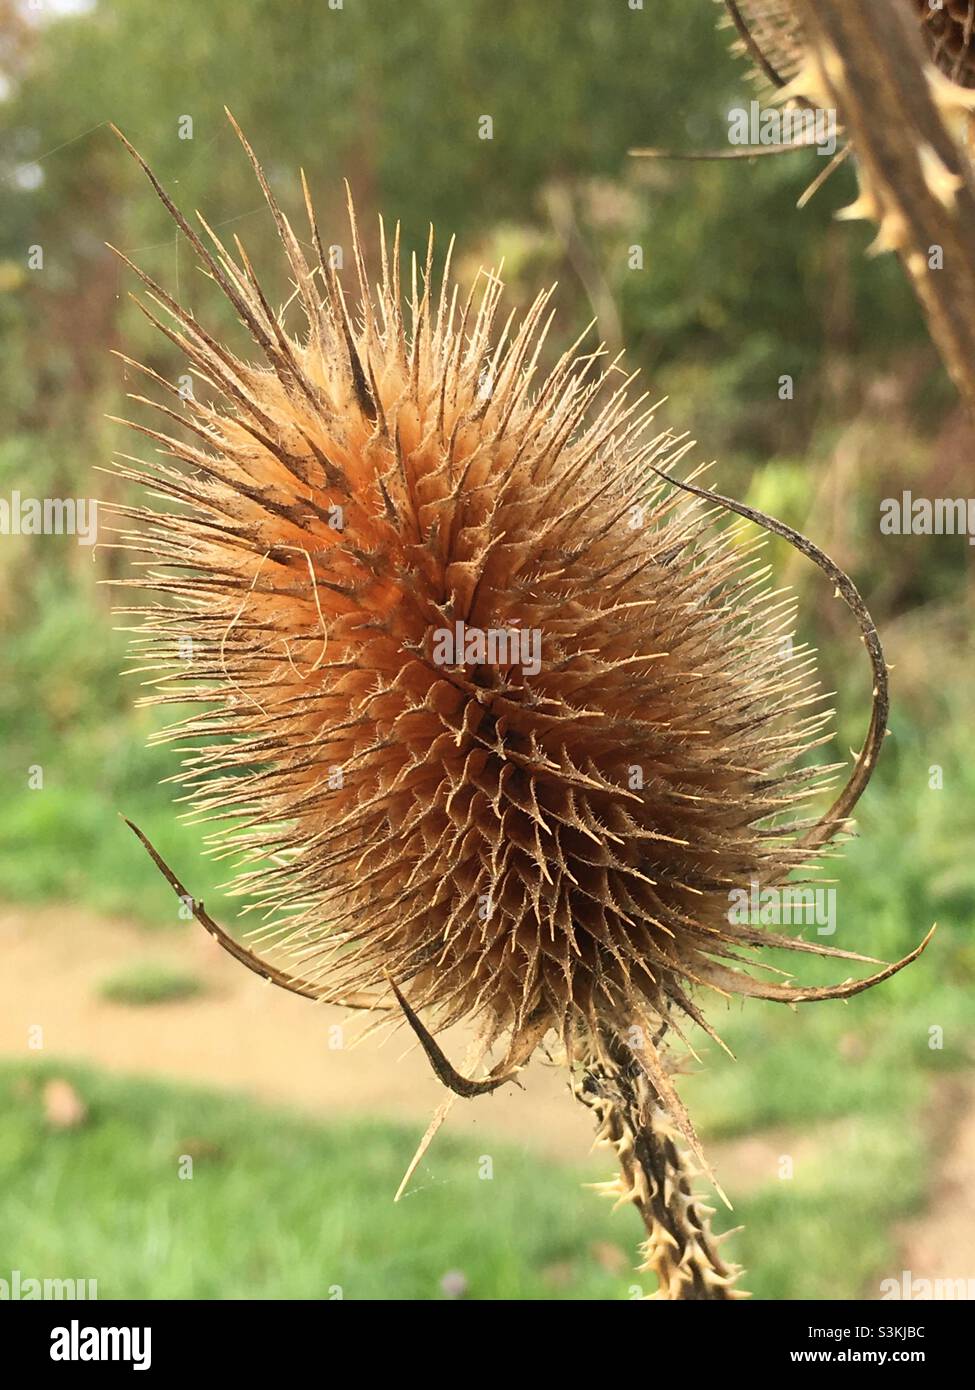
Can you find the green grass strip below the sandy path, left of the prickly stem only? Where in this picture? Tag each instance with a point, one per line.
(279, 1207)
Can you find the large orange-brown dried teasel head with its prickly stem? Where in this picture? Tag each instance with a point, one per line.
(543, 842)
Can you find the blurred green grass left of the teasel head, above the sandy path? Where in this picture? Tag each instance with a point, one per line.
(70, 715)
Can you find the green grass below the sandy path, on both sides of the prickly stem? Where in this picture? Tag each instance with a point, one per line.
(282, 1207)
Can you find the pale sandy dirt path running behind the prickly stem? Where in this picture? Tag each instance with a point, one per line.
(275, 1047)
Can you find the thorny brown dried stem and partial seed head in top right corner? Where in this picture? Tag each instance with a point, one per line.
(902, 77)
